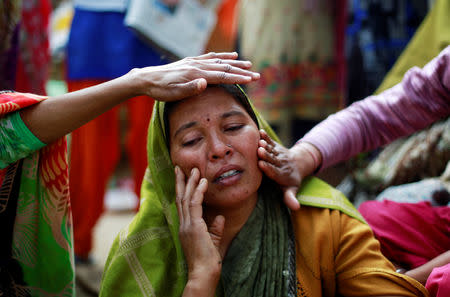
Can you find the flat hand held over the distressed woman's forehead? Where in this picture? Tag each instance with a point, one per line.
(190, 76)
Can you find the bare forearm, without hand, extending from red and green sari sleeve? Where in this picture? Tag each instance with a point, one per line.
(60, 115)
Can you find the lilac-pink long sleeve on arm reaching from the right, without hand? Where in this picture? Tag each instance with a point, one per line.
(422, 98)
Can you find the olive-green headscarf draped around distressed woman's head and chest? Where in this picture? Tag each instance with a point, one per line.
(146, 258)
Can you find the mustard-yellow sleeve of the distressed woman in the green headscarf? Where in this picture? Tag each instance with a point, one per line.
(361, 269)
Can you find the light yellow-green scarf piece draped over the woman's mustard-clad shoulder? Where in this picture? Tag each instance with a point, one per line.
(316, 193)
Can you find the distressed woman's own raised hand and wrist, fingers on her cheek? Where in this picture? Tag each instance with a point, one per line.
(200, 243)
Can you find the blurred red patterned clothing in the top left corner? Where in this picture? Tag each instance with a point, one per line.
(24, 55)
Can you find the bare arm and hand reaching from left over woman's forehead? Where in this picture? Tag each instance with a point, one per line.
(57, 116)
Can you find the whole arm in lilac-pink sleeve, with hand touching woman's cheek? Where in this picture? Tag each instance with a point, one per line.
(422, 98)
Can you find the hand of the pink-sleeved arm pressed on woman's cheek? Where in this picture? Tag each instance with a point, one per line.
(278, 163)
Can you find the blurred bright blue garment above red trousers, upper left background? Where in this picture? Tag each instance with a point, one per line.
(101, 47)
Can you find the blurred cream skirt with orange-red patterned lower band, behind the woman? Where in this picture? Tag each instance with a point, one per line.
(297, 46)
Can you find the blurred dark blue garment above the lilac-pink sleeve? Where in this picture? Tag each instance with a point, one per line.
(377, 33)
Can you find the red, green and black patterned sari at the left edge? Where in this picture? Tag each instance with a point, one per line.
(36, 233)
